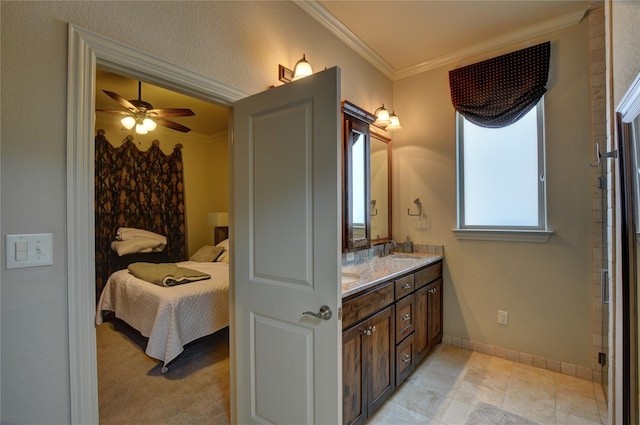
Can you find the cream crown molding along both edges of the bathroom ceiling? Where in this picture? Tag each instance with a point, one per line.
(319, 13)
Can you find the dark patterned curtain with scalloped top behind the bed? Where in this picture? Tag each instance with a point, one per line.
(137, 189)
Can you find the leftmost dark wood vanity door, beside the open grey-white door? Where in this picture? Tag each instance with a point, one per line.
(353, 379)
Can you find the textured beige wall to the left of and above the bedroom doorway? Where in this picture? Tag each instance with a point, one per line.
(237, 43)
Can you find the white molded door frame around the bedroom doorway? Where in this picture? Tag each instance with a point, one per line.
(87, 51)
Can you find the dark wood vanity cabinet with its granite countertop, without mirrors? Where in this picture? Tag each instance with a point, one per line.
(391, 319)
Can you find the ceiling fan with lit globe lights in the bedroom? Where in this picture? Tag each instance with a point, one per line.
(143, 116)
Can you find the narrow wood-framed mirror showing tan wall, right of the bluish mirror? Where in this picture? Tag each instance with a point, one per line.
(380, 203)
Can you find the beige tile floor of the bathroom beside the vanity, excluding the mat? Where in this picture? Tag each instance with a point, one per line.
(446, 386)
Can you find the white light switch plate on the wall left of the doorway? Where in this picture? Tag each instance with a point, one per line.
(37, 253)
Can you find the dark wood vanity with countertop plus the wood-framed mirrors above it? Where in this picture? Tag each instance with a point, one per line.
(391, 304)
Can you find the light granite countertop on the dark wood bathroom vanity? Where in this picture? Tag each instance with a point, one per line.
(358, 277)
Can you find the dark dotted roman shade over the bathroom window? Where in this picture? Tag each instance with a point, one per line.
(498, 92)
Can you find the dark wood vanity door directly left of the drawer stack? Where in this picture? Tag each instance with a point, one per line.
(381, 358)
